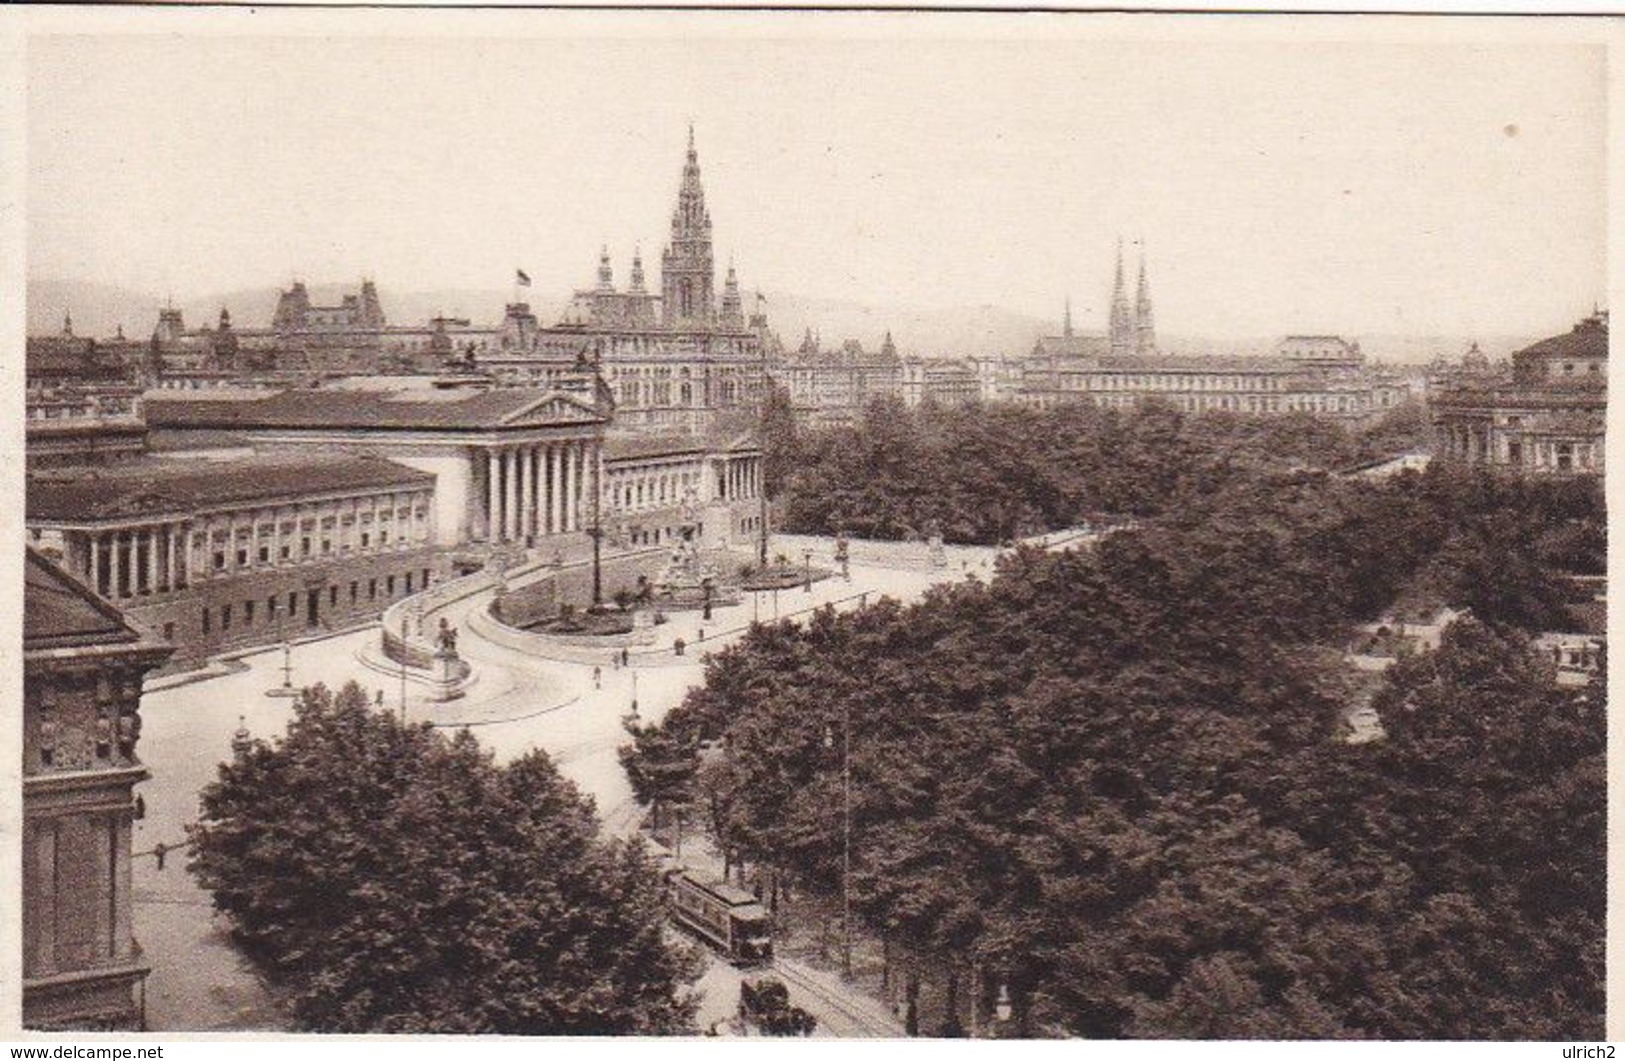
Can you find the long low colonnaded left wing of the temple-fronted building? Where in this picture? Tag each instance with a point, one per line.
(227, 555)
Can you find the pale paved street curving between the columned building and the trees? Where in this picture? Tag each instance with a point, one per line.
(518, 703)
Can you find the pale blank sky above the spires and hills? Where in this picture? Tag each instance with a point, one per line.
(1280, 184)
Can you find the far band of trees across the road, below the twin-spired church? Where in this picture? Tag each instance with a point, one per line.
(992, 474)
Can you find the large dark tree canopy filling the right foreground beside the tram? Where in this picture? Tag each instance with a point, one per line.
(1117, 779)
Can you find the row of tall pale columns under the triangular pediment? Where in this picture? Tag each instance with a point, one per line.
(539, 490)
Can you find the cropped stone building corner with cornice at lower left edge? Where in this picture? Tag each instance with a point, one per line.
(82, 690)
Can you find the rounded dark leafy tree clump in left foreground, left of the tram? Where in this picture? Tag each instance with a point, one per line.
(399, 881)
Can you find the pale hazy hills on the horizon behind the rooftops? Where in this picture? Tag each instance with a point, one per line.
(943, 332)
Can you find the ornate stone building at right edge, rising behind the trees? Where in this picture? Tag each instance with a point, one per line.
(1543, 417)
